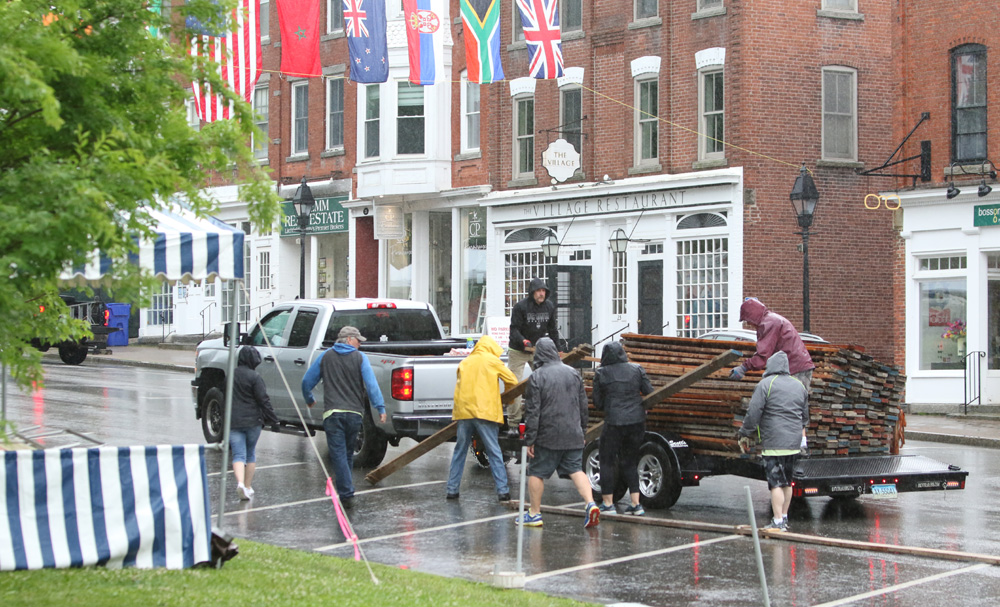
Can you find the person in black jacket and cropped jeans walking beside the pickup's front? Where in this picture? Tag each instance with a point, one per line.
(251, 410)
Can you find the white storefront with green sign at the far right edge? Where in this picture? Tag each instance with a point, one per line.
(952, 296)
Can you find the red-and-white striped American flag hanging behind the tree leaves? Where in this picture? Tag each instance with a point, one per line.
(239, 58)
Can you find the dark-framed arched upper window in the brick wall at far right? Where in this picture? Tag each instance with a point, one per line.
(968, 103)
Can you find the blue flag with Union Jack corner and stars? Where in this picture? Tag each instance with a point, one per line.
(364, 23)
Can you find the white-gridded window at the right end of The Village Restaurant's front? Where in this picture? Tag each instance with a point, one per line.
(702, 285)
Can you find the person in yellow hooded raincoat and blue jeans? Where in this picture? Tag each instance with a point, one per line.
(478, 410)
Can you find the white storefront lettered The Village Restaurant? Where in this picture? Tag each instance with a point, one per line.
(681, 272)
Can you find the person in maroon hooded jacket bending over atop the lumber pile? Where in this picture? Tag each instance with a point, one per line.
(774, 334)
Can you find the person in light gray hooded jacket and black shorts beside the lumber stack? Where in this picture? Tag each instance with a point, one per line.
(778, 414)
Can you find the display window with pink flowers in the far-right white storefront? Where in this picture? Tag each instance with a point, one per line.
(943, 317)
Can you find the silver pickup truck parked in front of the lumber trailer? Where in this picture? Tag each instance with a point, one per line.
(405, 347)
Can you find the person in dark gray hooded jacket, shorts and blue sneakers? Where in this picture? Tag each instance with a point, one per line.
(555, 418)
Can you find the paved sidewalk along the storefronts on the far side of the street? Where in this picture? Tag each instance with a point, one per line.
(972, 430)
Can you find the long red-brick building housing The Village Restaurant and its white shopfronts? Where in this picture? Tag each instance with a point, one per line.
(734, 96)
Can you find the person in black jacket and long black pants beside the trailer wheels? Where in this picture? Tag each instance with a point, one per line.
(618, 390)
